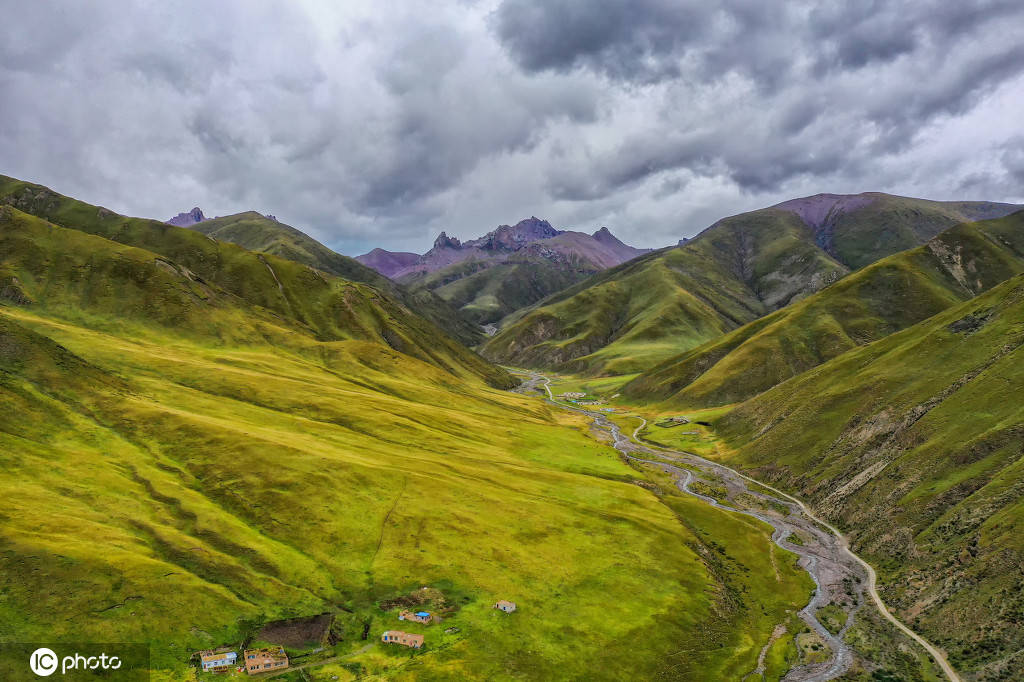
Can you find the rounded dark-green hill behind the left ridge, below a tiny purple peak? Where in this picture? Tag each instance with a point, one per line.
(258, 233)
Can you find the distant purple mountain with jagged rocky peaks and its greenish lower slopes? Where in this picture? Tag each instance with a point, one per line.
(507, 270)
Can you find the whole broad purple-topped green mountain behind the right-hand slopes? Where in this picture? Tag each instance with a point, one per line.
(767, 259)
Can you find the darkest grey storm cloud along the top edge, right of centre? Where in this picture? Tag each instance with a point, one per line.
(647, 41)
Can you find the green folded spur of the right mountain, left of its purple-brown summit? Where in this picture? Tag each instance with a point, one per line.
(630, 318)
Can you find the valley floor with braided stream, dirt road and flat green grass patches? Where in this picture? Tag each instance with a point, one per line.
(845, 590)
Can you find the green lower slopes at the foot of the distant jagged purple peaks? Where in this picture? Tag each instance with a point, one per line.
(486, 292)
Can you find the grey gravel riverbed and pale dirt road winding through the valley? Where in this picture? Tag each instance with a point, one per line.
(841, 578)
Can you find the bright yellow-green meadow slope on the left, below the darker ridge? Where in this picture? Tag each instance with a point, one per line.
(163, 491)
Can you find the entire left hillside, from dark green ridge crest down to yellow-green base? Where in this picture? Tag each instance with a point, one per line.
(191, 449)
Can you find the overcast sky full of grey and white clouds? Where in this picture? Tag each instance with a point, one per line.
(382, 123)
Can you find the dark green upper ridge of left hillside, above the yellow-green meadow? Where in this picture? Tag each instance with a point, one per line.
(329, 308)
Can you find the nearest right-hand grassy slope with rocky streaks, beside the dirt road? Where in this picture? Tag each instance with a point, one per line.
(915, 445)
